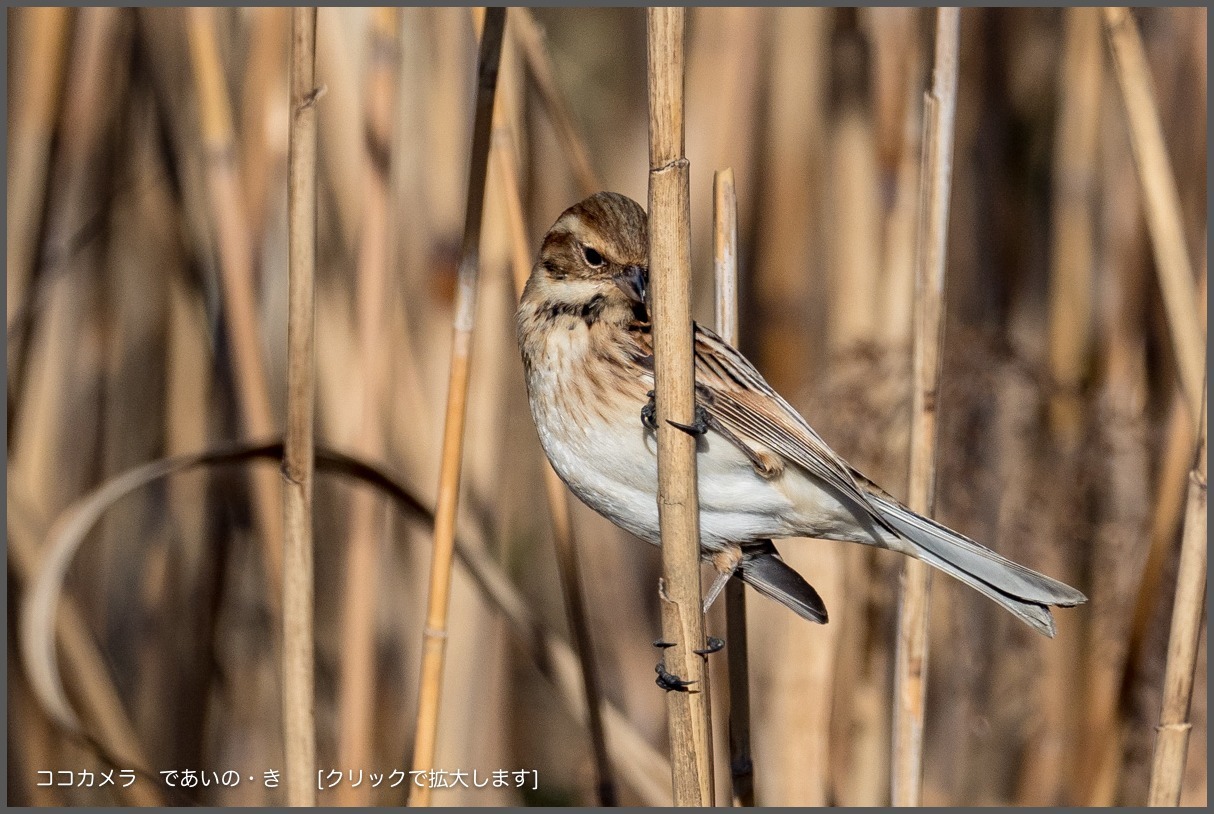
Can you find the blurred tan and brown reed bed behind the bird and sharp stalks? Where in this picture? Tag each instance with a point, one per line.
(148, 317)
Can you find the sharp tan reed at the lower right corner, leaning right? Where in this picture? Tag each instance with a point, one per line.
(1188, 613)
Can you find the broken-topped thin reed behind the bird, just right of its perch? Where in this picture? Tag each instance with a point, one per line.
(725, 266)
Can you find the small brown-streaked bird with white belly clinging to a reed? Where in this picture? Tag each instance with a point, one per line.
(764, 474)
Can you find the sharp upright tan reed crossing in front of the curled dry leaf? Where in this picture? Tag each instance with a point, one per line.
(299, 462)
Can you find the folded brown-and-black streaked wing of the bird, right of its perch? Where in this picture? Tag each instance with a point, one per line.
(735, 395)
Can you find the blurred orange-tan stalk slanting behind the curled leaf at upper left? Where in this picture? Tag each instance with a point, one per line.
(237, 271)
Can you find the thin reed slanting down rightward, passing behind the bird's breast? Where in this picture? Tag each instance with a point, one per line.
(508, 177)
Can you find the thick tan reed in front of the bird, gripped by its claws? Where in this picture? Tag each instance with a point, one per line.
(683, 617)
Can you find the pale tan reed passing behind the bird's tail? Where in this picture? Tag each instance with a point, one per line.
(911, 657)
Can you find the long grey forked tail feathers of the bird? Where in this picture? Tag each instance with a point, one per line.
(1023, 591)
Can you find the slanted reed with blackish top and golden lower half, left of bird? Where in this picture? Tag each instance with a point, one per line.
(435, 634)
